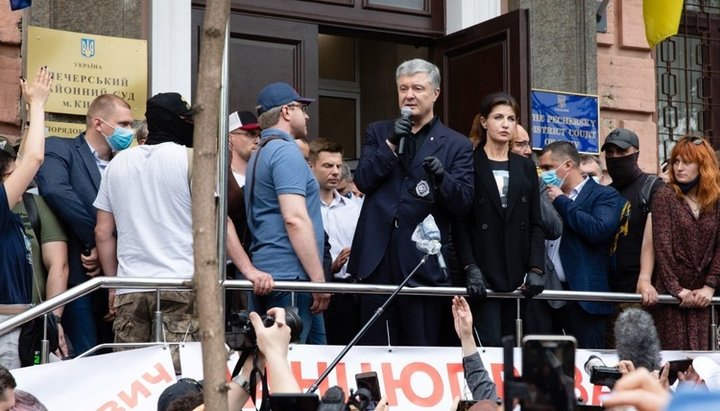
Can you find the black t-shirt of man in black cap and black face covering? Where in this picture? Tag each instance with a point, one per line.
(624, 277)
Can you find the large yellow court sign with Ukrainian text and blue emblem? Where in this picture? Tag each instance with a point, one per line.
(85, 66)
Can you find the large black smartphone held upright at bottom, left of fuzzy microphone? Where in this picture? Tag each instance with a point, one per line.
(548, 370)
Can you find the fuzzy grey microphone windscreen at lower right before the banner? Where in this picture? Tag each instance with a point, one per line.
(636, 339)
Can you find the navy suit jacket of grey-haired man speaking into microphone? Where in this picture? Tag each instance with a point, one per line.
(387, 184)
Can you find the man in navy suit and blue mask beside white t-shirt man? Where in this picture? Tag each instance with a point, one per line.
(69, 180)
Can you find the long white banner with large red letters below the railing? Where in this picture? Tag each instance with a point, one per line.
(413, 378)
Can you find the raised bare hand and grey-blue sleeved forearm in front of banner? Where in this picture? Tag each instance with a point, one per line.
(477, 377)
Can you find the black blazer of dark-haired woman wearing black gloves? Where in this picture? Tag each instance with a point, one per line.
(504, 242)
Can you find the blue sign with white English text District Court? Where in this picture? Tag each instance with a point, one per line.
(569, 117)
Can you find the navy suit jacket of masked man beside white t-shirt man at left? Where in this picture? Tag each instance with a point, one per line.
(69, 180)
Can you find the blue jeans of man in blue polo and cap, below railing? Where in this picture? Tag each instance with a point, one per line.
(313, 331)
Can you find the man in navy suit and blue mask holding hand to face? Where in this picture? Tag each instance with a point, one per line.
(591, 217)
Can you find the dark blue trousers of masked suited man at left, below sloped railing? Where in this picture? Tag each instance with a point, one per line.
(79, 324)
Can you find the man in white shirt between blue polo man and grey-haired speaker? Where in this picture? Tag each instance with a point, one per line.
(340, 216)
